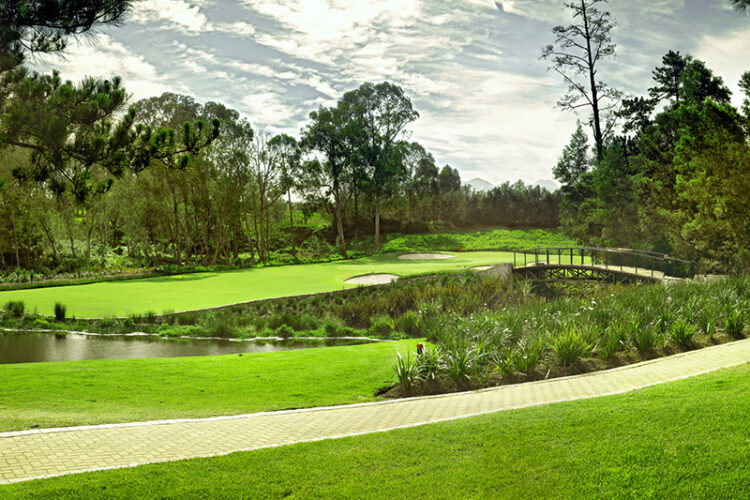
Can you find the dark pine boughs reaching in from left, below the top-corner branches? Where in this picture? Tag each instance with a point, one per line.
(72, 130)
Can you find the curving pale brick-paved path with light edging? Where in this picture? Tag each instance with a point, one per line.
(43, 453)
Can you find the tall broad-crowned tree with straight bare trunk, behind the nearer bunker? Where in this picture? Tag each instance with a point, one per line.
(379, 115)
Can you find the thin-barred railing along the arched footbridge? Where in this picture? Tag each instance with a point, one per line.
(622, 259)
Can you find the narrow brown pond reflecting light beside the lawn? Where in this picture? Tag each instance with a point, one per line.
(35, 347)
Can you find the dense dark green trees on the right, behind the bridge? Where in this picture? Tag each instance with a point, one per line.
(676, 180)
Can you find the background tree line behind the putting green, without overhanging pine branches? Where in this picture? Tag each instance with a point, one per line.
(245, 198)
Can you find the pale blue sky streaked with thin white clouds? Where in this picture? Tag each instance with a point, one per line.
(472, 68)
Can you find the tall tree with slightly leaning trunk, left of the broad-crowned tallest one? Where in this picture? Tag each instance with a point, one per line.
(327, 134)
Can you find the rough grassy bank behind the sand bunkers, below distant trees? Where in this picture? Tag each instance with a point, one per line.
(490, 239)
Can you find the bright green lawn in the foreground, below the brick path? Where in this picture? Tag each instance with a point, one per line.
(687, 439)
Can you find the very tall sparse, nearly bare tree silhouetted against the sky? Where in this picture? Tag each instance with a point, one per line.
(576, 54)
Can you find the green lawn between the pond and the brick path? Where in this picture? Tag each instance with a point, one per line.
(104, 391)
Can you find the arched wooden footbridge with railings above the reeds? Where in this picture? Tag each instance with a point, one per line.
(614, 265)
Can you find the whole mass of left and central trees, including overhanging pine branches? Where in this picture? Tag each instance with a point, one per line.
(86, 179)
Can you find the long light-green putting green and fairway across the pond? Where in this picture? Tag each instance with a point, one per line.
(206, 290)
